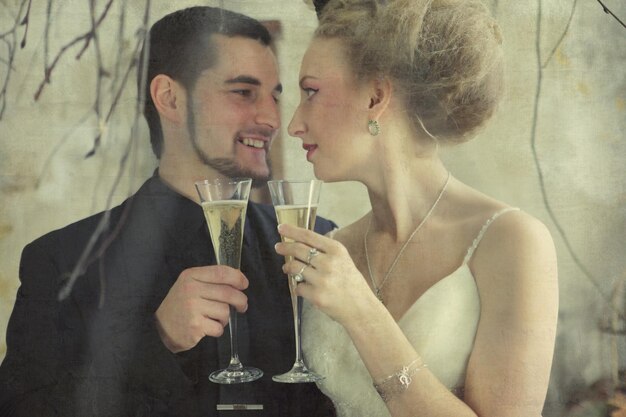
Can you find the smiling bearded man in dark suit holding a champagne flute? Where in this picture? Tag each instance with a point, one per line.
(144, 324)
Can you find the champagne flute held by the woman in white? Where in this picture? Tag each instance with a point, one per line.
(295, 203)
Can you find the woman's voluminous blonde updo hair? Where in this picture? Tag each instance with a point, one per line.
(444, 57)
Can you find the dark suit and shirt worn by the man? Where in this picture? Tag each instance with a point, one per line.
(73, 358)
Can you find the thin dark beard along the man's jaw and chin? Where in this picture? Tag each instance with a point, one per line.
(225, 166)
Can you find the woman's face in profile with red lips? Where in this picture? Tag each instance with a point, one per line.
(332, 116)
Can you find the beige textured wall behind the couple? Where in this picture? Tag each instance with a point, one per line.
(45, 181)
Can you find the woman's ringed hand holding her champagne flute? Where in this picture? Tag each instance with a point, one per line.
(332, 282)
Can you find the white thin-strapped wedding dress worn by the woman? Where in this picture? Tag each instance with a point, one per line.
(441, 325)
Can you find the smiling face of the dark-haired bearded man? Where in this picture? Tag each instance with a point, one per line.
(232, 113)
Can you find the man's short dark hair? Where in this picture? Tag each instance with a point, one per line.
(180, 47)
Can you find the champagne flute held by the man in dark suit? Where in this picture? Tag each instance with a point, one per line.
(224, 202)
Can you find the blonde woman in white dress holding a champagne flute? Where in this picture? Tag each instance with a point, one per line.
(441, 301)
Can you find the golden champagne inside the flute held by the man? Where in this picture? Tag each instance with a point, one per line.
(226, 221)
